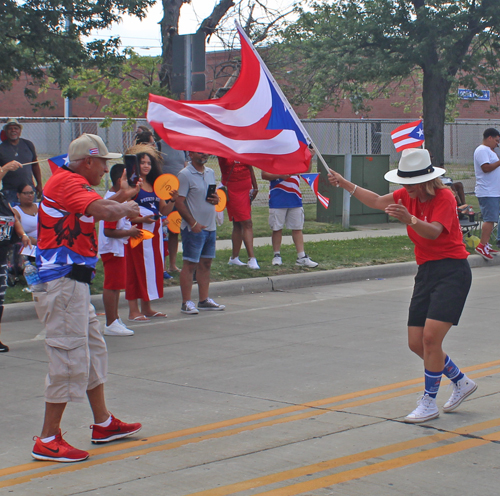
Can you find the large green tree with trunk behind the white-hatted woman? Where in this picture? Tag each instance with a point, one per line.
(359, 49)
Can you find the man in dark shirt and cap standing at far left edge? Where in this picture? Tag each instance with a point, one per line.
(14, 153)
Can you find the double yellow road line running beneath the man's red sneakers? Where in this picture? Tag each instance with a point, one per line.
(109, 449)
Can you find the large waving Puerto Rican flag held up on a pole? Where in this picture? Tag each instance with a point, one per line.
(252, 123)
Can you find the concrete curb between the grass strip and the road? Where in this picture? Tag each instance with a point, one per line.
(16, 312)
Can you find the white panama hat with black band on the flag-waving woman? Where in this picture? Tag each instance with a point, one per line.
(414, 167)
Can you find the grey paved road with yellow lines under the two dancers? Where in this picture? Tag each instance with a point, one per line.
(296, 391)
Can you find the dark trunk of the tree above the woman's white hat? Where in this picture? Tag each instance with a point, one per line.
(434, 93)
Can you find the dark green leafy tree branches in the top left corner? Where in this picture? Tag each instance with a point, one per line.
(43, 38)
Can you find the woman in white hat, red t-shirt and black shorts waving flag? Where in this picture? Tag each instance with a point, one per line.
(444, 277)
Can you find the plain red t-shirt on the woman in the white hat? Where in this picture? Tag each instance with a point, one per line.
(443, 209)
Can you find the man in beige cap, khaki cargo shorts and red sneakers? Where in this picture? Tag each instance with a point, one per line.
(66, 258)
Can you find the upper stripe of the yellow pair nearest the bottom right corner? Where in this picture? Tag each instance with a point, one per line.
(345, 460)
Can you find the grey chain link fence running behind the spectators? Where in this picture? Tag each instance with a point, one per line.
(52, 136)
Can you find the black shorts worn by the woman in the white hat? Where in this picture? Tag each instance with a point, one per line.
(441, 288)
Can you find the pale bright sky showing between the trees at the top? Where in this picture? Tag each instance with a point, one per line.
(144, 36)
